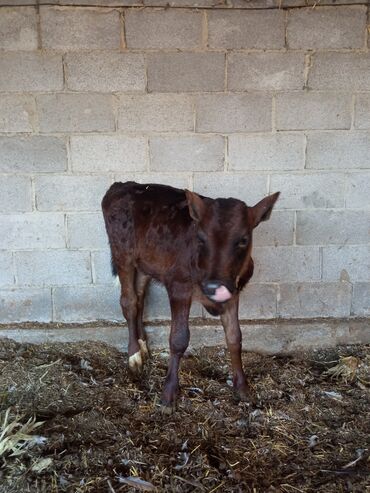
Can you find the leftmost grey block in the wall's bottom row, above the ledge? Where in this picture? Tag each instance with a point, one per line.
(25, 305)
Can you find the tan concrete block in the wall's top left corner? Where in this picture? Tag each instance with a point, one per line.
(18, 28)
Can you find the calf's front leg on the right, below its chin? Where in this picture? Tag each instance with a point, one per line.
(230, 322)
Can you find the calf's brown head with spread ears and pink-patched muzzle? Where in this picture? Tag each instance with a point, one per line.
(223, 234)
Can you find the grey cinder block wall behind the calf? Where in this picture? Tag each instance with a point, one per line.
(241, 99)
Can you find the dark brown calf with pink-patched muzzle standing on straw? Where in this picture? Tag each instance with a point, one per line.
(199, 248)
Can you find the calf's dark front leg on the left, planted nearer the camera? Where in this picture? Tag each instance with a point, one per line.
(179, 341)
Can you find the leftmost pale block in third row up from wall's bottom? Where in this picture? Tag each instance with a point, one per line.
(19, 231)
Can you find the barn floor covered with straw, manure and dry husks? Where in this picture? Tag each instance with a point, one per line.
(309, 430)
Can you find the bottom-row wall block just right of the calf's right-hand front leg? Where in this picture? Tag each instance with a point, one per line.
(258, 301)
